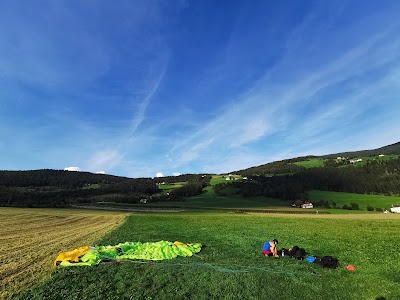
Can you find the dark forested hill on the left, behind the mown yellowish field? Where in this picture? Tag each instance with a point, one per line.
(57, 188)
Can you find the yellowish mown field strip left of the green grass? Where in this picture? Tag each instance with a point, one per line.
(30, 240)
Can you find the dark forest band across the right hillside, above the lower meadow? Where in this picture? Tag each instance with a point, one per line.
(382, 177)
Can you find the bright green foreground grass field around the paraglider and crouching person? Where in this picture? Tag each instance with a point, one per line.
(231, 265)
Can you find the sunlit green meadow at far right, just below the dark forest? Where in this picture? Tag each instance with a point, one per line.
(362, 200)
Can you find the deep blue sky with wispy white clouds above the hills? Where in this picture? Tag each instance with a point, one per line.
(136, 88)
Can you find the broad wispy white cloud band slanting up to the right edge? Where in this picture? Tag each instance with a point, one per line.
(288, 108)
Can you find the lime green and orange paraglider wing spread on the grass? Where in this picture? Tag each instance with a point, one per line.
(88, 256)
